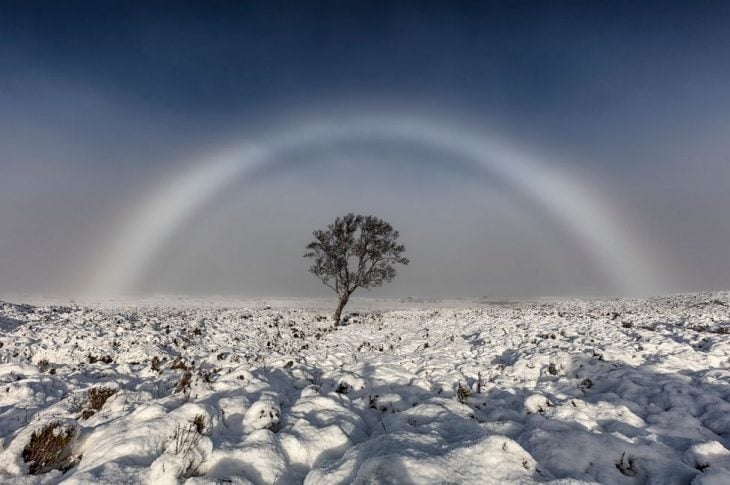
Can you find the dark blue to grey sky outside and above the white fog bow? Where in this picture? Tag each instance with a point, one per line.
(97, 99)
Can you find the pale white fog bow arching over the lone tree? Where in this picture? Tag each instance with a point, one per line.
(565, 197)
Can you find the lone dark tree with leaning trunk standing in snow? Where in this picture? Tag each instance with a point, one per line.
(355, 252)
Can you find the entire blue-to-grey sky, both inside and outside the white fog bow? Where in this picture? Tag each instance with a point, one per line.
(103, 102)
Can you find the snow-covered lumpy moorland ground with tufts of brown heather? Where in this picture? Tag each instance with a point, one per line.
(620, 391)
